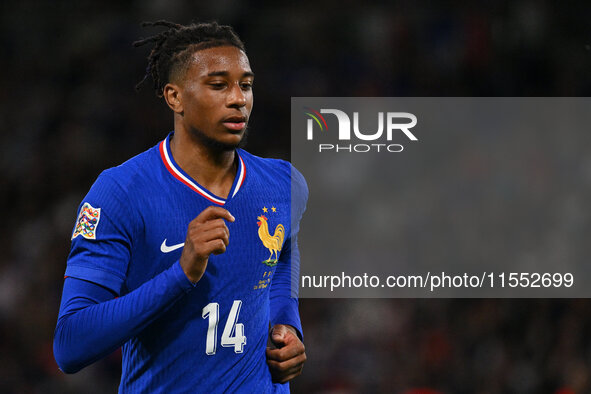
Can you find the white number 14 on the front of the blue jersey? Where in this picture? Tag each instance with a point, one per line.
(233, 335)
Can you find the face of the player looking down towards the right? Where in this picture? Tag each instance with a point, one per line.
(216, 93)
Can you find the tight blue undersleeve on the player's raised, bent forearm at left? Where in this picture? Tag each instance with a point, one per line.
(93, 323)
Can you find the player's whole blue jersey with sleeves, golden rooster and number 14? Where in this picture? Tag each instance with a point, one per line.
(176, 336)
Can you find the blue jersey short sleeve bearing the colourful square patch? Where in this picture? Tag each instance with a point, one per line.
(102, 235)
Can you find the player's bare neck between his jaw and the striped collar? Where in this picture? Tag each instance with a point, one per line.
(214, 169)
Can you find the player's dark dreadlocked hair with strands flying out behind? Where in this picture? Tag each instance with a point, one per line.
(173, 48)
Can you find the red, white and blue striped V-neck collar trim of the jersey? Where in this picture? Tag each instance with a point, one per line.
(180, 175)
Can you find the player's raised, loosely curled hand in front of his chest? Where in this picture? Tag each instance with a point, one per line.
(207, 234)
